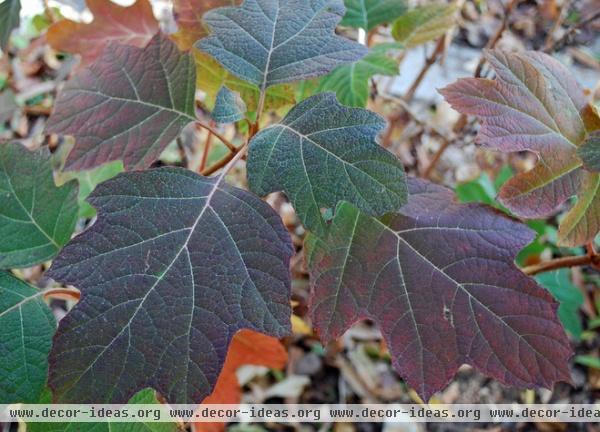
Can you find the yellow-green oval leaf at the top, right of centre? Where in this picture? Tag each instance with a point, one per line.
(423, 24)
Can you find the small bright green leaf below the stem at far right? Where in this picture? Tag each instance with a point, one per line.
(569, 296)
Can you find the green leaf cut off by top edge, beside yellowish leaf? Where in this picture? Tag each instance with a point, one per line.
(368, 14)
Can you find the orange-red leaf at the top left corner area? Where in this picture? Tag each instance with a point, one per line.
(133, 25)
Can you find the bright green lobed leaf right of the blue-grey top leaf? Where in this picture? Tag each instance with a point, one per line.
(351, 82)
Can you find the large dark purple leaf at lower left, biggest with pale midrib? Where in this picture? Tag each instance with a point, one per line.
(174, 266)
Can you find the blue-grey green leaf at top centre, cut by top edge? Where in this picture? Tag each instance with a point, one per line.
(269, 42)
